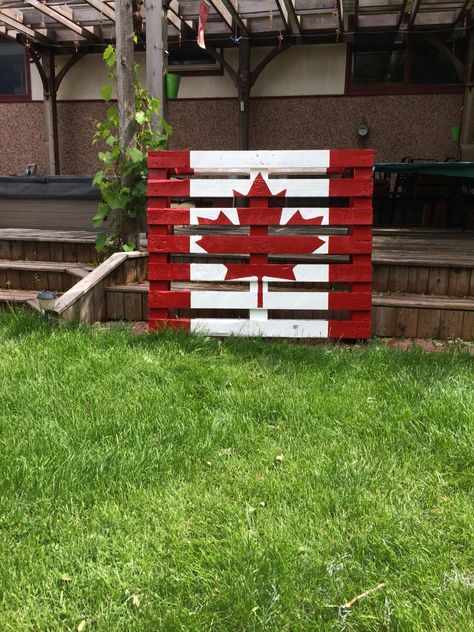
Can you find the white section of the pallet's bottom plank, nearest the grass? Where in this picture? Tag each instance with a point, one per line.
(270, 328)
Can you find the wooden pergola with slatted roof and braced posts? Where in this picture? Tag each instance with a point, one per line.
(79, 27)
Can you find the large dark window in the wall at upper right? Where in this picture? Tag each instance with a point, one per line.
(395, 67)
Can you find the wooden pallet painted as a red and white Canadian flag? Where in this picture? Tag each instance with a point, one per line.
(270, 176)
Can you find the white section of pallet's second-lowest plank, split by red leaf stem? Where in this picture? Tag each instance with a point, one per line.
(209, 299)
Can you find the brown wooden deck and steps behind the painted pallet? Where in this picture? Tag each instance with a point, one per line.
(423, 279)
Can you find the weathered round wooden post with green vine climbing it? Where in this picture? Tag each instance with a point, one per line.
(126, 99)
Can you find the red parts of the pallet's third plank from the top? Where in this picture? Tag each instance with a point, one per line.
(261, 216)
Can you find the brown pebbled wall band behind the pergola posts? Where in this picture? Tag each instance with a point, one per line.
(416, 125)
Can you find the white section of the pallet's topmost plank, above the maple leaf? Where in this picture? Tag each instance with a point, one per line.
(296, 159)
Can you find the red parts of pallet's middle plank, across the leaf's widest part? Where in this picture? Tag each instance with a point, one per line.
(258, 244)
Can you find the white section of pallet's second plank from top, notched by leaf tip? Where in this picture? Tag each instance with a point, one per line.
(292, 187)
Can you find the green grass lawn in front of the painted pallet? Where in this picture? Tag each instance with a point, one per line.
(140, 488)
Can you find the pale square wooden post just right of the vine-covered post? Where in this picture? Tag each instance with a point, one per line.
(156, 43)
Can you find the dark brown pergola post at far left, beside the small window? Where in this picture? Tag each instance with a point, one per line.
(51, 112)
